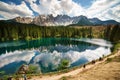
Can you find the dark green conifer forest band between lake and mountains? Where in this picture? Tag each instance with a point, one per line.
(18, 31)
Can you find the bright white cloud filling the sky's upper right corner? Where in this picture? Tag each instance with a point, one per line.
(105, 9)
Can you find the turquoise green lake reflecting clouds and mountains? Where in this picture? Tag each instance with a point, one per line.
(46, 53)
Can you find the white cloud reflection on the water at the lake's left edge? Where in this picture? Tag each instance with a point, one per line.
(16, 56)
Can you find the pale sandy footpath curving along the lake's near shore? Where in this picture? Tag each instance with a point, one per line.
(72, 72)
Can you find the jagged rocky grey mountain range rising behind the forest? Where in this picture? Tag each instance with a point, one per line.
(62, 20)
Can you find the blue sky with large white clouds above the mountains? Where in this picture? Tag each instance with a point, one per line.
(102, 9)
